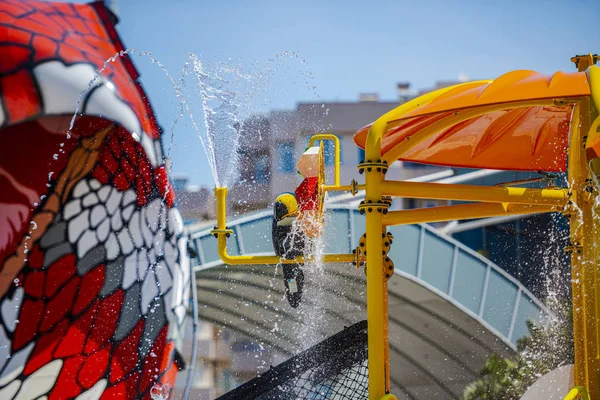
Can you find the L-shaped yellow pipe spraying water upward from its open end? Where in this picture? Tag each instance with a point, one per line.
(221, 195)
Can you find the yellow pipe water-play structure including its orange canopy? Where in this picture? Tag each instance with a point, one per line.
(520, 121)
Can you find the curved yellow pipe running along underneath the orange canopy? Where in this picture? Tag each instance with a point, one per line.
(457, 117)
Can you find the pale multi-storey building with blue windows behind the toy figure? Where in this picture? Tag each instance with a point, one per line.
(272, 144)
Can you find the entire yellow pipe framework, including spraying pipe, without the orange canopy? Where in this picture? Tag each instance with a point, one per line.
(488, 202)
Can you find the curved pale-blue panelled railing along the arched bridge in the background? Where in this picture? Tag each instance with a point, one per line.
(422, 254)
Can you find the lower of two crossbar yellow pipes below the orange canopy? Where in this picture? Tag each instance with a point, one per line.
(461, 211)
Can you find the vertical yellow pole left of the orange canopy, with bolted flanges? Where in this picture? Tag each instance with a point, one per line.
(375, 281)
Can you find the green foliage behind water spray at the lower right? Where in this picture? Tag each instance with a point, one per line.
(545, 349)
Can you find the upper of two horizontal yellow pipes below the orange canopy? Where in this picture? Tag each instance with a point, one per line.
(495, 194)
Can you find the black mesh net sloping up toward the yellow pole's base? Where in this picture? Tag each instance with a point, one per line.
(333, 369)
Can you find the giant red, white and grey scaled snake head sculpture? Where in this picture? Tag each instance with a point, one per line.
(94, 276)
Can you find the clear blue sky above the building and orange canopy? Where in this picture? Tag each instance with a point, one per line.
(350, 46)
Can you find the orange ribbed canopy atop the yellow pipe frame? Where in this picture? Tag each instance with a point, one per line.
(526, 138)
